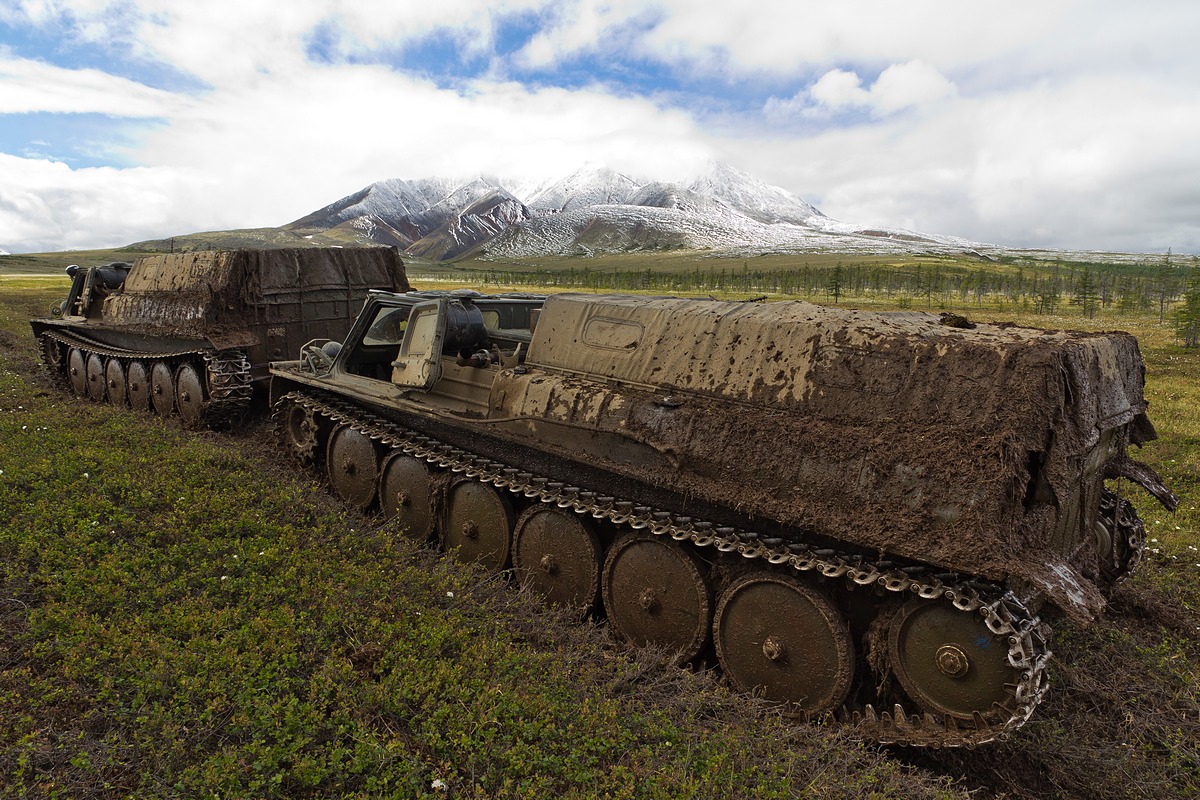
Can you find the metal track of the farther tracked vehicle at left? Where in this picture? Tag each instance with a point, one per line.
(227, 372)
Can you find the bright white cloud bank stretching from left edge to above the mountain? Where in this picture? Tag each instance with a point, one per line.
(280, 147)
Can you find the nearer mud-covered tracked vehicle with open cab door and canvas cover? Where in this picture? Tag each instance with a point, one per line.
(857, 515)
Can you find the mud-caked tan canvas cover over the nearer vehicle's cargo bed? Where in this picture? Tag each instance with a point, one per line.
(980, 450)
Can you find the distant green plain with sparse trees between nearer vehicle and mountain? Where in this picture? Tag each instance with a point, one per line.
(1129, 287)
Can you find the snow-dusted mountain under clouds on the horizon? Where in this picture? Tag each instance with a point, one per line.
(597, 210)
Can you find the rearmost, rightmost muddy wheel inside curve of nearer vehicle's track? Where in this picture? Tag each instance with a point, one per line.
(950, 661)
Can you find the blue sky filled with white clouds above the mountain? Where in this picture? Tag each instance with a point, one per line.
(1046, 124)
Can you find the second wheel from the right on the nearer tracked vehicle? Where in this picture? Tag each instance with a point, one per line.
(783, 640)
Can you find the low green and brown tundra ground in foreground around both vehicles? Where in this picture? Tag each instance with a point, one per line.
(184, 616)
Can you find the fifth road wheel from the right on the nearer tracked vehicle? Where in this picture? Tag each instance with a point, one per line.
(478, 525)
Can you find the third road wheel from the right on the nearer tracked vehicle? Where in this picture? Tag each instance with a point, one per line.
(655, 592)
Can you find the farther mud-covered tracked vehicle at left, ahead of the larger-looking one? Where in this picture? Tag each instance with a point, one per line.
(191, 334)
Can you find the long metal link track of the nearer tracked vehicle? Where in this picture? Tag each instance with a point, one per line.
(1000, 610)
